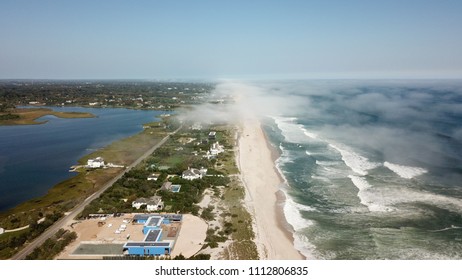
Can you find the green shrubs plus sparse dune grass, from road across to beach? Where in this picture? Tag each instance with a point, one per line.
(187, 149)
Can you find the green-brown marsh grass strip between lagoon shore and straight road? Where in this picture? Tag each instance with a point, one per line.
(67, 194)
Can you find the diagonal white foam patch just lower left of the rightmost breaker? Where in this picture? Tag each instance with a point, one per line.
(367, 198)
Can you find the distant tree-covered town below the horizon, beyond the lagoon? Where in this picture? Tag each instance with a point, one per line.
(124, 94)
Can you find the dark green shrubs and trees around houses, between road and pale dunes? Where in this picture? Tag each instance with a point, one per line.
(169, 161)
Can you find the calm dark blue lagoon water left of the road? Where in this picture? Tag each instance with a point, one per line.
(34, 158)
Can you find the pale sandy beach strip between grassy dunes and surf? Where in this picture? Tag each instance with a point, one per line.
(262, 182)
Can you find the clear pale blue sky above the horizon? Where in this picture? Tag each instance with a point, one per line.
(230, 39)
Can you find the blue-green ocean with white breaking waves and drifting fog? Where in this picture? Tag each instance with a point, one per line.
(373, 169)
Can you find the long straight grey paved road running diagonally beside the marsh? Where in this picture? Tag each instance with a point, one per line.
(79, 208)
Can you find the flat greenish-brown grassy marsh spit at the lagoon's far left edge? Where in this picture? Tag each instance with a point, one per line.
(28, 116)
